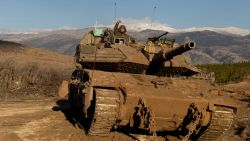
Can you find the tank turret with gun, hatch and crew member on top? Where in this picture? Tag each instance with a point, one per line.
(116, 51)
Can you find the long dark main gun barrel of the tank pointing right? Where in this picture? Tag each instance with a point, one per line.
(179, 50)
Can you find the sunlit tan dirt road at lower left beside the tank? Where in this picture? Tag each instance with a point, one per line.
(44, 120)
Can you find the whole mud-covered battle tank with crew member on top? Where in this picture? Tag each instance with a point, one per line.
(149, 89)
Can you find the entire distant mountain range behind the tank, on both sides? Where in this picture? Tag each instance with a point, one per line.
(212, 47)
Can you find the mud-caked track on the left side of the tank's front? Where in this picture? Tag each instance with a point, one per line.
(105, 113)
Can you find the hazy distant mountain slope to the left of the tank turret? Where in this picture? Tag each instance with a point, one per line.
(62, 41)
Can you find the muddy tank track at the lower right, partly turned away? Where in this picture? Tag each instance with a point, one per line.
(222, 120)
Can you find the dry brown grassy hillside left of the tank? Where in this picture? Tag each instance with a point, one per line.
(30, 71)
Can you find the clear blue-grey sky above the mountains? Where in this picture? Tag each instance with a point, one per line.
(28, 14)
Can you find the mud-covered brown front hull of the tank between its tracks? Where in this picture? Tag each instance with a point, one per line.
(169, 101)
